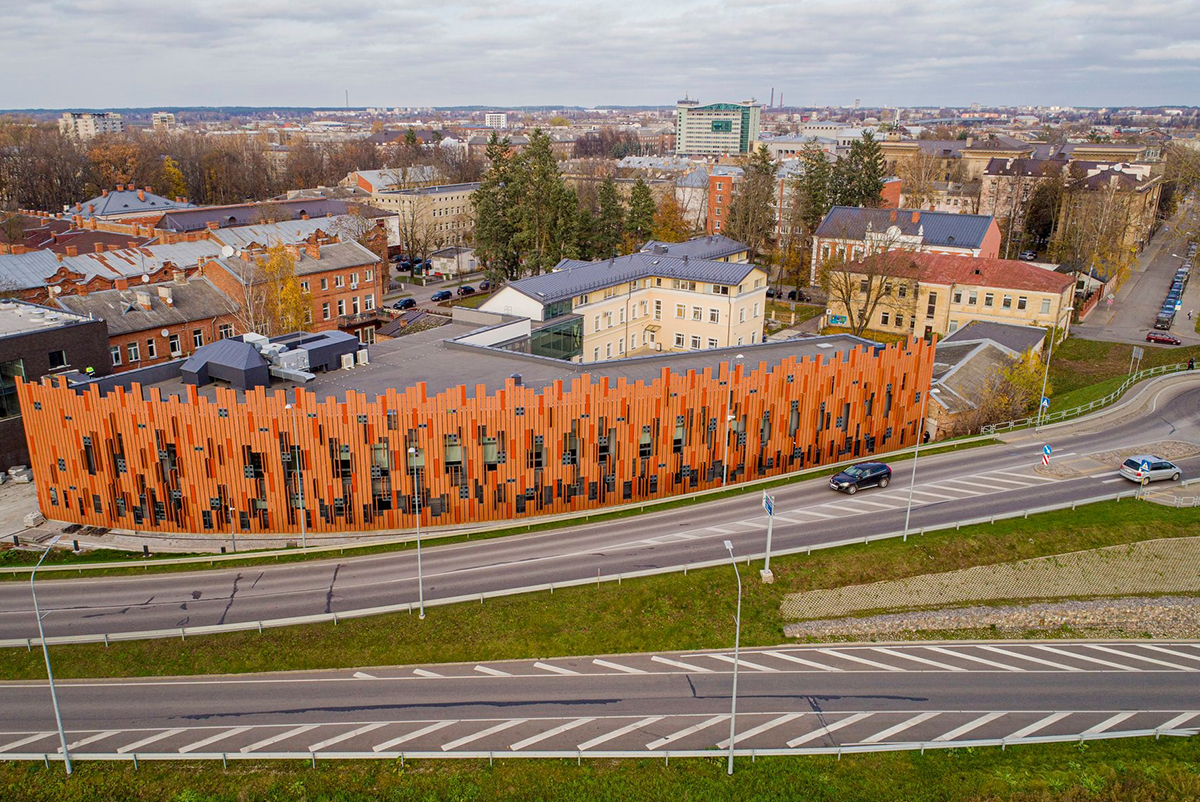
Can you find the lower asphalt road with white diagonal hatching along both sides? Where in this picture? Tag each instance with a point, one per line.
(795, 697)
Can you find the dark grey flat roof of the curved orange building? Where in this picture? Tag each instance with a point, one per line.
(427, 357)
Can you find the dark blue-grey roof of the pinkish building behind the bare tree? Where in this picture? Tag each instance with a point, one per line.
(945, 229)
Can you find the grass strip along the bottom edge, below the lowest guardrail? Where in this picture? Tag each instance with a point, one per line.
(1129, 771)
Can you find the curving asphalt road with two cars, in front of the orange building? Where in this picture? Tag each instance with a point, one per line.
(950, 488)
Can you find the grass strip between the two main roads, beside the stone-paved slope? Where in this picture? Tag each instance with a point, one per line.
(673, 612)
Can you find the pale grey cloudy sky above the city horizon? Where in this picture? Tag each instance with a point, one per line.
(141, 53)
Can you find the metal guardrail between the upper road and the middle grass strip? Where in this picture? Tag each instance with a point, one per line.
(410, 607)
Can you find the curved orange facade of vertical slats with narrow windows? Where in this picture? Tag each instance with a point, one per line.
(225, 462)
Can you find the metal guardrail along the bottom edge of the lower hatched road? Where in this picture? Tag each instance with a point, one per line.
(859, 749)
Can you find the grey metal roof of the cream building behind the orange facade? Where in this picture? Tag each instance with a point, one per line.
(572, 278)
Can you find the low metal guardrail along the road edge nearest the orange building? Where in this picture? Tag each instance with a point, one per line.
(367, 541)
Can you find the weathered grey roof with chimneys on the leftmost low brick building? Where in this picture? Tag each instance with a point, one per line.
(195, 301)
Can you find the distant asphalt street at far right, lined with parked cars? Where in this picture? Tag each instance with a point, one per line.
(1138, 302)
